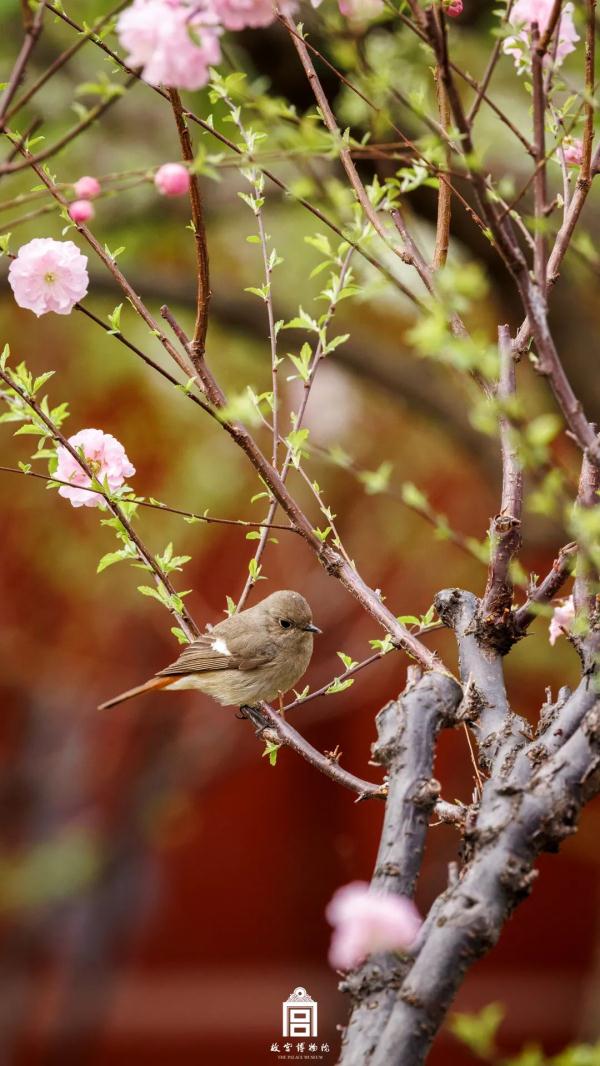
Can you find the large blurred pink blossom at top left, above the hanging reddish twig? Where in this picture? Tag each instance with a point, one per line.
(173, 43)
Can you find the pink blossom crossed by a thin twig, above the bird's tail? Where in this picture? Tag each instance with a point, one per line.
(107, 459)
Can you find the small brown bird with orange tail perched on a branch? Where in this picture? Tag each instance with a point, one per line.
(248, 658)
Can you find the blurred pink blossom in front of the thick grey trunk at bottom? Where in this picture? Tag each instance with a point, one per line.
(365, 922)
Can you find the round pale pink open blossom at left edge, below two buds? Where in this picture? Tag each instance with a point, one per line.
(48, 276)
